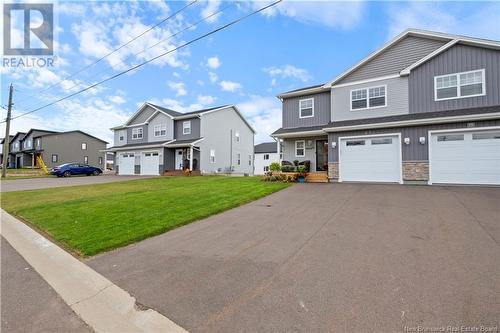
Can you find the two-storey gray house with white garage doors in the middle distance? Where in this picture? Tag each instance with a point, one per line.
(158, 140)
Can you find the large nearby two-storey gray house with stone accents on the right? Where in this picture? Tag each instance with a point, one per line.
(423, 108)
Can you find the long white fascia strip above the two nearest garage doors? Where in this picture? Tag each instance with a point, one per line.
(426, 121)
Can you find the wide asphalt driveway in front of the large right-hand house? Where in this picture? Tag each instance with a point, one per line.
(326, 258)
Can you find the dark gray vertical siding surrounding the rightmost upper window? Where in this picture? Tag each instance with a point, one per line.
(459, 58)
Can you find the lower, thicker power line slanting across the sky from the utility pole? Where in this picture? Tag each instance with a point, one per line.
(227, 25)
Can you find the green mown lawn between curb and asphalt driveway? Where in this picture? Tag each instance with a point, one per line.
(95, 218)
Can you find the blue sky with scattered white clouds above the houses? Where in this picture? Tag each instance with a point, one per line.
(291, 45)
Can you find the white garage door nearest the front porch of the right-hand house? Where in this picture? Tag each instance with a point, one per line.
(374, 159)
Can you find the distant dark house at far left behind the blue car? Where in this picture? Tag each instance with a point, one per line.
(54, 148)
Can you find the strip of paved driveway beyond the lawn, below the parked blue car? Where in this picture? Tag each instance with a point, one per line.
(39, 183)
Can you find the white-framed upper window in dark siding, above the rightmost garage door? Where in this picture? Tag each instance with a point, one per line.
(459, 85)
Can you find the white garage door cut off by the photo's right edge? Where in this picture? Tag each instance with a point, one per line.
(465, 157)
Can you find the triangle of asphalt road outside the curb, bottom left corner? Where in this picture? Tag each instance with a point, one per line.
(29, 304)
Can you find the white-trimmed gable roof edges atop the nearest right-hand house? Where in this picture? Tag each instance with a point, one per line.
(448, 38)
